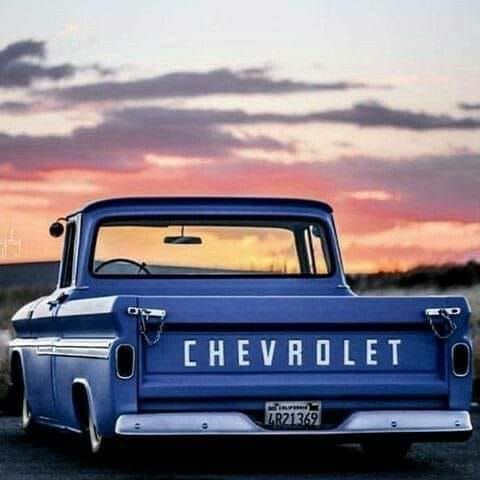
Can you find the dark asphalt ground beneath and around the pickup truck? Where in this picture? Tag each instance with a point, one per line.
(53, 456)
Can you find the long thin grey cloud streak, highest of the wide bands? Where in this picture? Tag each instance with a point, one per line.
(195, 84)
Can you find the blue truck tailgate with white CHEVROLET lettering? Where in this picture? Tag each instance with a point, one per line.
(343, 349)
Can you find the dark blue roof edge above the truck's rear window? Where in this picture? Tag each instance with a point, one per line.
(146, 201)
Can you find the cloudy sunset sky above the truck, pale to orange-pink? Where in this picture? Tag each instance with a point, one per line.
(372, 106)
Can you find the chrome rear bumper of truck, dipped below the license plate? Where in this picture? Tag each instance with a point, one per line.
(235, 423)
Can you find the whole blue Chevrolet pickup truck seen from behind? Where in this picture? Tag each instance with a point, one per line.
(232, 317)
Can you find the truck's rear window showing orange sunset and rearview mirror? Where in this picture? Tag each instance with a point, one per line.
(159, 248)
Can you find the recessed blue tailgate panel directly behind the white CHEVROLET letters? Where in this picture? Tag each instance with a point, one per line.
(295, 352)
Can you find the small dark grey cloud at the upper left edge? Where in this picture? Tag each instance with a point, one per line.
(21, 64)
